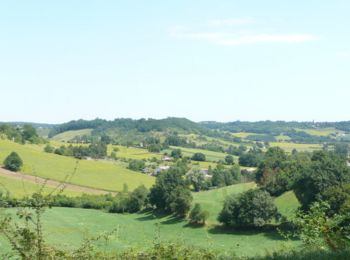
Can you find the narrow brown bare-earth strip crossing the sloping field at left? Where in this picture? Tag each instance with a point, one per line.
(50, 183)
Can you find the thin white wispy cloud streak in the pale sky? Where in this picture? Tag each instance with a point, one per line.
(223, 36)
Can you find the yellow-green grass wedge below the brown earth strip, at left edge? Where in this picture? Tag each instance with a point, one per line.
(22, 188)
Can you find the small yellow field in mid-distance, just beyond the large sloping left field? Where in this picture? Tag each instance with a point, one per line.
(132, 152)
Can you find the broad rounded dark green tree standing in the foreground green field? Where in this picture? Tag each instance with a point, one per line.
(254, 208)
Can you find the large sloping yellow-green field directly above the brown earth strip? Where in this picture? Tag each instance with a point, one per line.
(96, 174)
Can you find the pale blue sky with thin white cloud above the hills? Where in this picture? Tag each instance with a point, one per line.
(222, 60)
